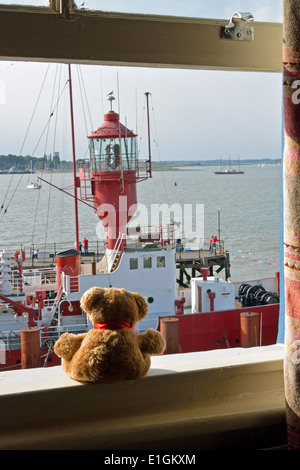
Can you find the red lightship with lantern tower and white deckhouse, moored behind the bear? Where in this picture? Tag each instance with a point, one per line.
(206, 314)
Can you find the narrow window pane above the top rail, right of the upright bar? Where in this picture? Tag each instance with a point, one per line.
(262, 10)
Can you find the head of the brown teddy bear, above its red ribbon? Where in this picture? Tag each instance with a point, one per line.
(111, 304)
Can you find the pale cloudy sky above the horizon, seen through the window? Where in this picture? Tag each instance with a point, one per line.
(195, 115)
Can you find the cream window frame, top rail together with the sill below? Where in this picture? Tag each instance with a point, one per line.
(248, 383)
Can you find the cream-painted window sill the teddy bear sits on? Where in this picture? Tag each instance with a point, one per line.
(196, 399)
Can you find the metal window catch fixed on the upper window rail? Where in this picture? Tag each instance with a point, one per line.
(238, 28)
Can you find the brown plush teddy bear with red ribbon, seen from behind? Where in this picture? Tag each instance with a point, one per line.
(111, 351)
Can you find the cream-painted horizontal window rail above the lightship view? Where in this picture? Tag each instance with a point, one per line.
(61, 34)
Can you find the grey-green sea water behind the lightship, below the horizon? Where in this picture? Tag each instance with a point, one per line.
(245, 208)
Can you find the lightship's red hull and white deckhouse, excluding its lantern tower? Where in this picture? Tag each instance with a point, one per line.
(208, 315)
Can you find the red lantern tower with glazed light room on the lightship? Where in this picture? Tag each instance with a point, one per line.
(109, 177)
